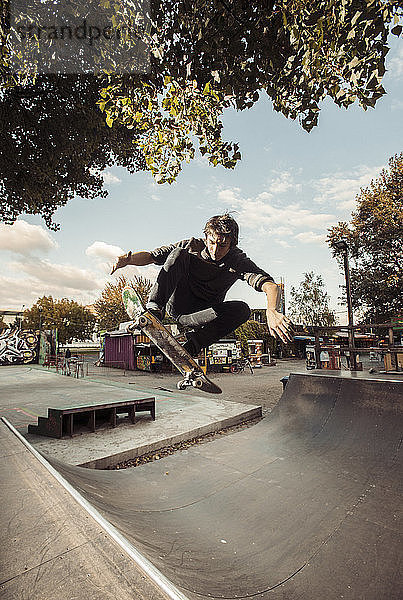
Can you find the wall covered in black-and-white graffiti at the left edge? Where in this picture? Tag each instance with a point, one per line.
(18, 346)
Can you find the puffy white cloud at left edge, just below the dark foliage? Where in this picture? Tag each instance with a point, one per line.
(24, 238)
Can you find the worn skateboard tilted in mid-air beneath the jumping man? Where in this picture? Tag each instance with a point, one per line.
(162, 338)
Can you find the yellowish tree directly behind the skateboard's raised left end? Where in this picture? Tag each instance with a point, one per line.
(109, 306)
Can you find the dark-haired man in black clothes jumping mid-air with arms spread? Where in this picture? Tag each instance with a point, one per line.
(195, 277)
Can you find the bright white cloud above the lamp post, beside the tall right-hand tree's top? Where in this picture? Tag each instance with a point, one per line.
(340, 189)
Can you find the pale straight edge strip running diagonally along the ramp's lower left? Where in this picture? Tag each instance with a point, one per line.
(162, 582)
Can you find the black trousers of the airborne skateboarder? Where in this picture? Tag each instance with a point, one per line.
(180, 277)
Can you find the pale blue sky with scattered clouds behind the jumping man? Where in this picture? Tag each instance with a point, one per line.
(289, 188)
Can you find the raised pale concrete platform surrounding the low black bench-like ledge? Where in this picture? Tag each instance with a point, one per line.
(27, 392)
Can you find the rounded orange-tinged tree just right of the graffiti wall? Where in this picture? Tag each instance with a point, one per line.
(72, 320)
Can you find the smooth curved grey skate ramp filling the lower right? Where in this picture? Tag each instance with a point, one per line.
(304, 505)
